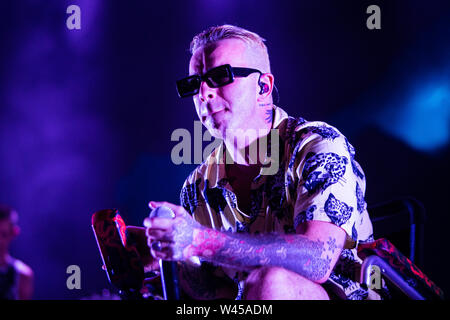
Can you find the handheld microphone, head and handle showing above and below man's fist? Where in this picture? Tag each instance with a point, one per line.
(169, 270)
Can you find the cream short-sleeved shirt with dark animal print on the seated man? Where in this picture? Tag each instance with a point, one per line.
(317, 179)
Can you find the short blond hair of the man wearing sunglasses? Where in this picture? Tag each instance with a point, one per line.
(228, 31)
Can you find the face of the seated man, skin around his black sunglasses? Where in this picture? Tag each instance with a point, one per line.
(233, 106)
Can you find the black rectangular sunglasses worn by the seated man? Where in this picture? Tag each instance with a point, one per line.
(214, 78)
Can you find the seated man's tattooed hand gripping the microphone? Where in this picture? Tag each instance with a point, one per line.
(174, 235)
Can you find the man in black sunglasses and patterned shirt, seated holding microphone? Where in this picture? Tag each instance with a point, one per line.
(290, 234)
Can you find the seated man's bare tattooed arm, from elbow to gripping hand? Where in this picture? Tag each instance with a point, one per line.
(312, 254)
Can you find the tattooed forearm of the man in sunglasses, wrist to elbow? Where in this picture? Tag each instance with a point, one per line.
(312, 259)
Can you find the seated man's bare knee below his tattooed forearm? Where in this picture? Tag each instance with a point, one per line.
(273, 283)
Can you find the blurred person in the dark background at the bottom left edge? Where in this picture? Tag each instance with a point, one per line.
(16, 278)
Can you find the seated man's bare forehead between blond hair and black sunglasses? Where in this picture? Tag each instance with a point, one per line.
(229, 51)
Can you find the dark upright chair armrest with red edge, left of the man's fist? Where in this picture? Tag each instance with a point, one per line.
(124, 266)
